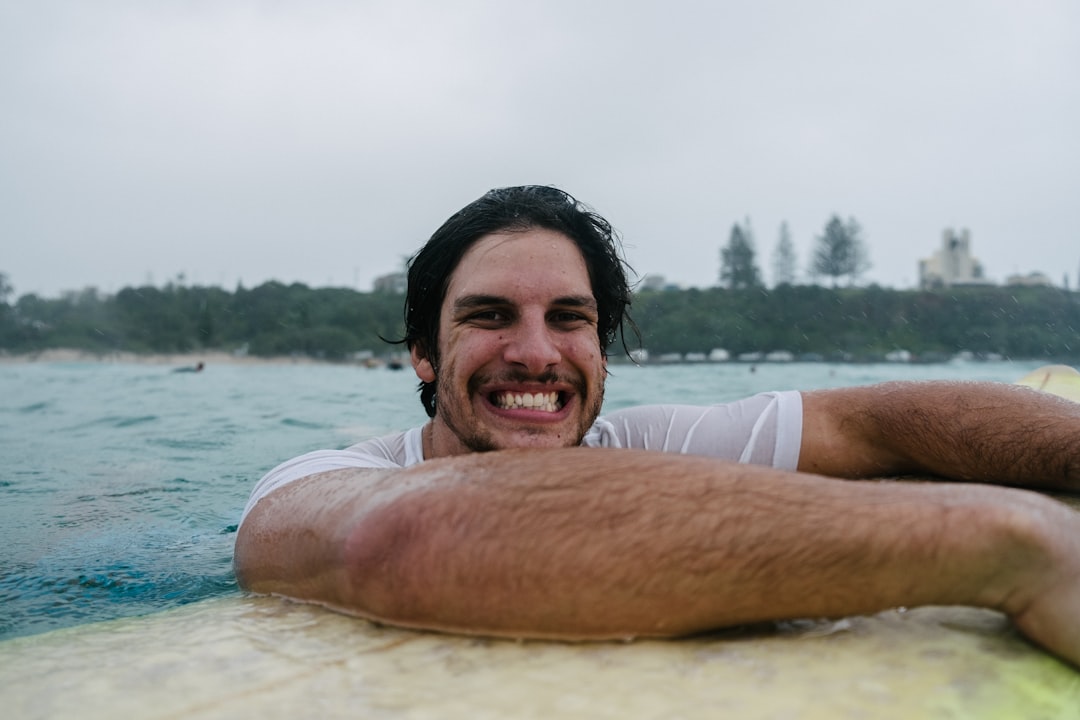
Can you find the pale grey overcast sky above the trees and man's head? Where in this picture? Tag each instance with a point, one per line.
(323, 141)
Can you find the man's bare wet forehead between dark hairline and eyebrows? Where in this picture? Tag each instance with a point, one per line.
(531, 265)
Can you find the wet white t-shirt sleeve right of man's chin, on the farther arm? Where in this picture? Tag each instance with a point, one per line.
(763, 430)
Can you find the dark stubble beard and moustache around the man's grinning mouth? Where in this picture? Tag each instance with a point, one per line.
(476, 439)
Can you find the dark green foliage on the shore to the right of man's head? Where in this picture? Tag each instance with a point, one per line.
(863, 324)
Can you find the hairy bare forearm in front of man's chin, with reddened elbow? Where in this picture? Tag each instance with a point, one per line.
(593, 544)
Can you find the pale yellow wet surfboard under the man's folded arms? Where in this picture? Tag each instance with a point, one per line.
(242, 657)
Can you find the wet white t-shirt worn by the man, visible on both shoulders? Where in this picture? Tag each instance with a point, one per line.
(763, 430)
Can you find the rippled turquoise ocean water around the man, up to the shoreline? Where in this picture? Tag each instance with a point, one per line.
(121, 484)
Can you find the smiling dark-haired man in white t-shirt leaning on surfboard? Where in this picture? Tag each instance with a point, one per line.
(518, 511)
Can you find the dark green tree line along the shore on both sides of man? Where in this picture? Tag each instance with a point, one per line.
(808, 321)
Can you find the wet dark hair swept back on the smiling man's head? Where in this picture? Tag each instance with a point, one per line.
(517, 209)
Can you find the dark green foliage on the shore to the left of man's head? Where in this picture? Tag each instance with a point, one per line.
(273, 319)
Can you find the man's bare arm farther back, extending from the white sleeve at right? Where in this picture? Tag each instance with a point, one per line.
(985, 432)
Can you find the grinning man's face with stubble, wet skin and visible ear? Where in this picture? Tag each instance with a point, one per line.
(520, 363)
